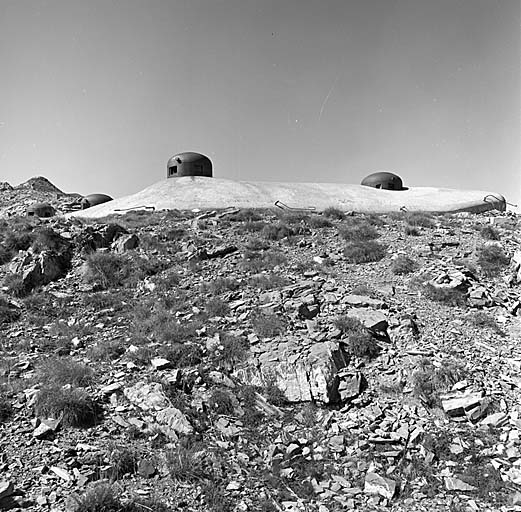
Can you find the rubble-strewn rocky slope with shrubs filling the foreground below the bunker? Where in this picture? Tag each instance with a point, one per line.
(261, 361)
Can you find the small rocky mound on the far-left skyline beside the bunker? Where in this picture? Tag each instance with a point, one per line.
(15, 200)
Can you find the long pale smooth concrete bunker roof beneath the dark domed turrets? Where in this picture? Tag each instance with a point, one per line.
(215, 193)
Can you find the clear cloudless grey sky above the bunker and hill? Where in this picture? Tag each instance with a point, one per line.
(96, 95)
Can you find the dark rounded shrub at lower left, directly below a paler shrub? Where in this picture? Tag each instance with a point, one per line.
(74, 405)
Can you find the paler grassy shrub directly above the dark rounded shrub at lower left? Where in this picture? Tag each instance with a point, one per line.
(59, 371)
